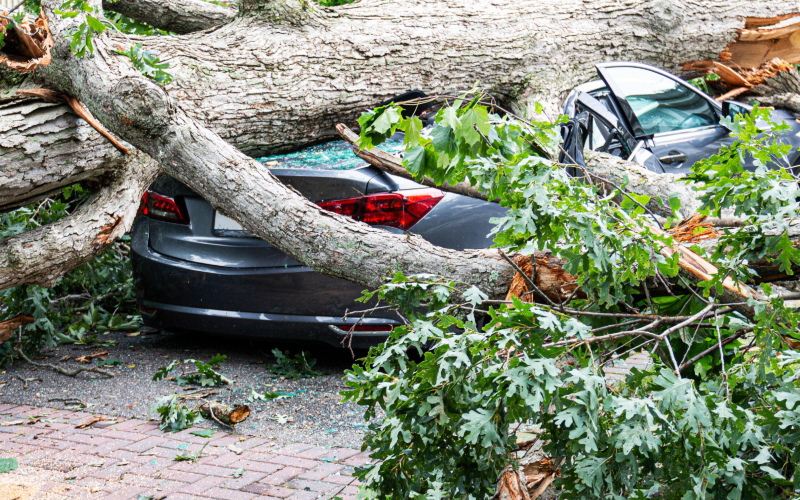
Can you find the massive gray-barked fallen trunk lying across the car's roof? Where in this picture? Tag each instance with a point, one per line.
(281, 76)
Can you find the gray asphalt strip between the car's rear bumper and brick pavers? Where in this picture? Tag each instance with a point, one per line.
(312, 413)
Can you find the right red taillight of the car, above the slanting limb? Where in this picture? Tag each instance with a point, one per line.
(402, 209)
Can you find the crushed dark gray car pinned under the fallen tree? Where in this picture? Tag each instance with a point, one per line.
(197, 270)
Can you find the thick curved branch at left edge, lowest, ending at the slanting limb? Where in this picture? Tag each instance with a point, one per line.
(43, 255)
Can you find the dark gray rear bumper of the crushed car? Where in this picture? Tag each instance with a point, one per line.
(291, 303)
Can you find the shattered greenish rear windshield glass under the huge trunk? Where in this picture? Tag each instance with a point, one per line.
(333, 155)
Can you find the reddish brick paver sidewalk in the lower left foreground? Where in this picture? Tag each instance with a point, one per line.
(133, 459)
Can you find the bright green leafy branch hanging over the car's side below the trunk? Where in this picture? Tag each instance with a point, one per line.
(607, 244)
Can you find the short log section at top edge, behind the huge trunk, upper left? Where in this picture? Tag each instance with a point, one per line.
(177, 16)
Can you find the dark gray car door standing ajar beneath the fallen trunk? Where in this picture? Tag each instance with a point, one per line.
(678, 123)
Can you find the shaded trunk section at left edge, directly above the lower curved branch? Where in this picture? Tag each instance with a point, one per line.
(44, 147)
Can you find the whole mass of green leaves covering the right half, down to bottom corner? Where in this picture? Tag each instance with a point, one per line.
(444, 394)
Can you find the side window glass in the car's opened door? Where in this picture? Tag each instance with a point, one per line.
(660, 103)
